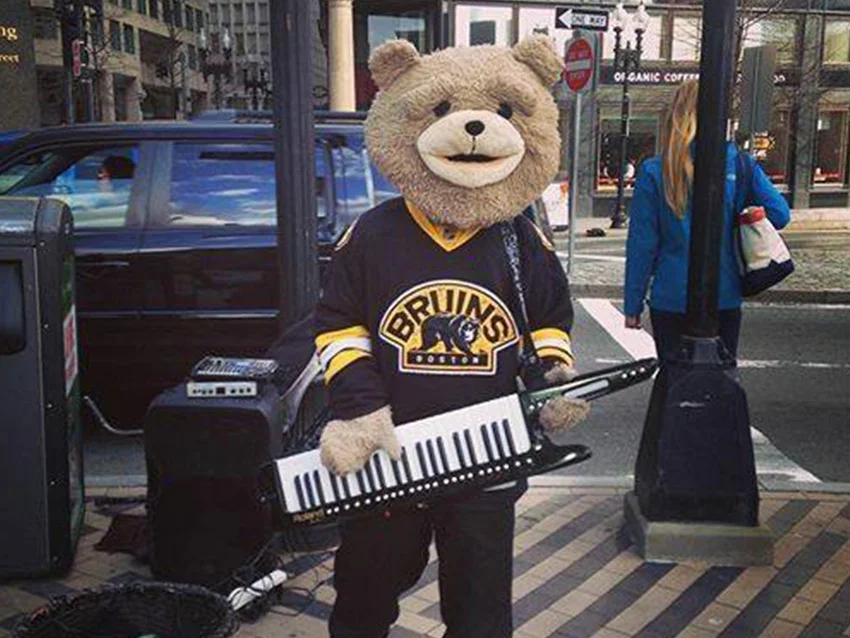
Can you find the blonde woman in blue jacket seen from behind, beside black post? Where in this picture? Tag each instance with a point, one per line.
(660, 231)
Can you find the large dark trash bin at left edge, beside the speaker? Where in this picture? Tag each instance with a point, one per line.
(41, 473)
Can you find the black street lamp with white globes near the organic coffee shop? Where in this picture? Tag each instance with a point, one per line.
(626, 60)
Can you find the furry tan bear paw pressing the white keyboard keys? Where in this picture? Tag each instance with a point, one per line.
(345, 446)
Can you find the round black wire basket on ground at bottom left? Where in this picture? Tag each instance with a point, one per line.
(161, 610)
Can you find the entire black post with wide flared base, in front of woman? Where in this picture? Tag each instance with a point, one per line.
(696, 461)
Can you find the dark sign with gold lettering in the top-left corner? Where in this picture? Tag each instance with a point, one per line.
(17, 67)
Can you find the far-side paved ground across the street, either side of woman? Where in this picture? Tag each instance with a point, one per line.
(820, 248)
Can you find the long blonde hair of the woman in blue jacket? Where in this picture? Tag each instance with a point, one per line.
(676, 161)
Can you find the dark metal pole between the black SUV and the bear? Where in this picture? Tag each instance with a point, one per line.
(292, 70)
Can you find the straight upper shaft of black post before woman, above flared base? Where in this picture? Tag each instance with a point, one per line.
(716, 71)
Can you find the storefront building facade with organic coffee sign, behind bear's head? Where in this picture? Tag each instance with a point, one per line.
(805, 152)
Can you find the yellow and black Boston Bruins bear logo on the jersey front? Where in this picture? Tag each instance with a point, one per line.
(448, 327)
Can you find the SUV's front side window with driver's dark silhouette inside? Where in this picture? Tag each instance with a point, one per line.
(96, 183)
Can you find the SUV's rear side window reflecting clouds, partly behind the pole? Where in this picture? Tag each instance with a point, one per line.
(233, 183)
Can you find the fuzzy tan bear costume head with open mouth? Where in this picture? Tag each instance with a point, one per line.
(469, 135)
